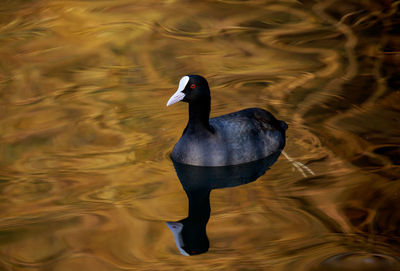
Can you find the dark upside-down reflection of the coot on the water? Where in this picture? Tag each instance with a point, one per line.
(190, 233)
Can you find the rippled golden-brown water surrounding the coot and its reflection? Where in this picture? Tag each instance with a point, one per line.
(85, 178)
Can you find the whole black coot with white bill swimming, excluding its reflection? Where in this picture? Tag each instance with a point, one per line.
(236, 138)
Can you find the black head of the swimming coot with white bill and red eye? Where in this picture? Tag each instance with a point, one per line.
(191, 89)
